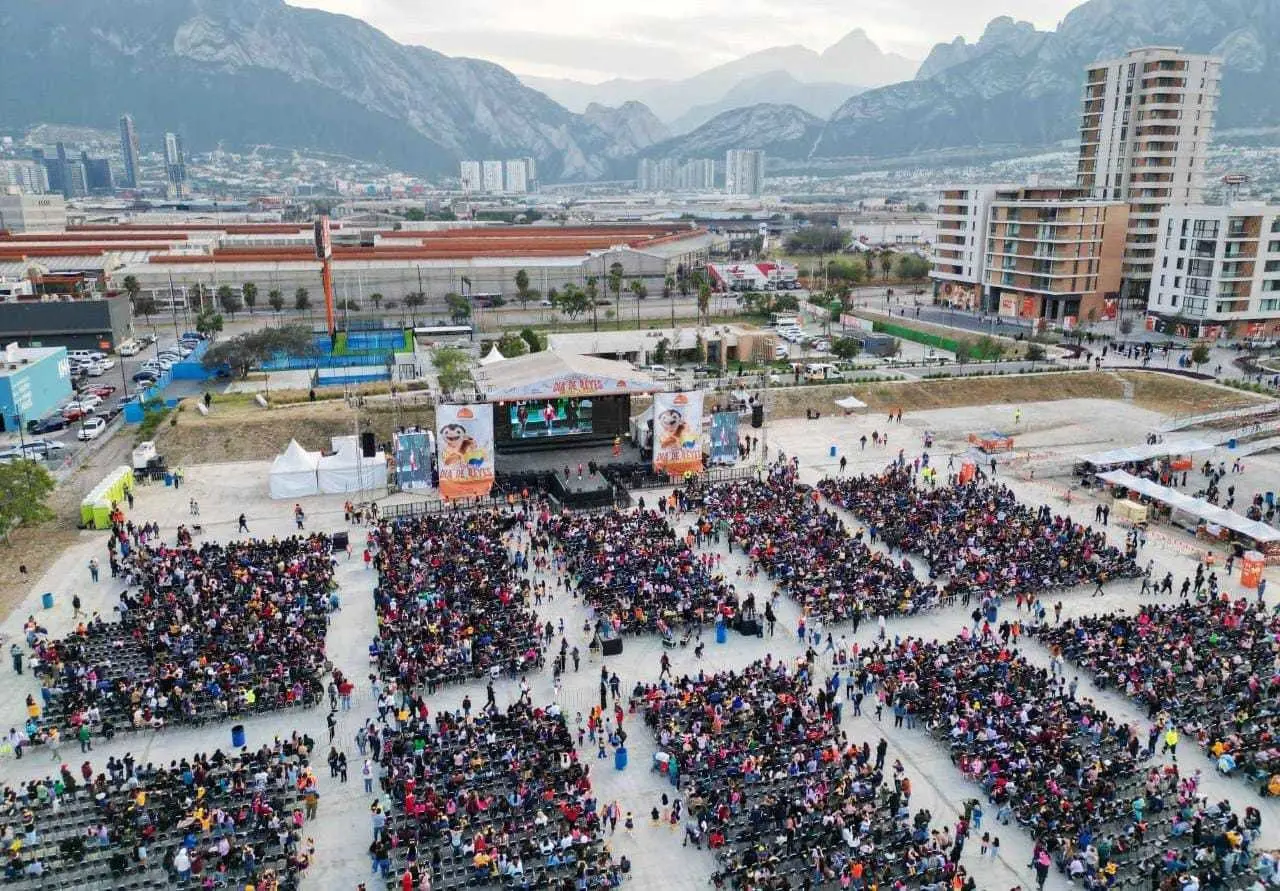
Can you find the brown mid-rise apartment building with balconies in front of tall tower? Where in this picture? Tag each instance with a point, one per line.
(1054, 254)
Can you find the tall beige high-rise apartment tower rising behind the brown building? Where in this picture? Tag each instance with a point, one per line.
(1145, 132)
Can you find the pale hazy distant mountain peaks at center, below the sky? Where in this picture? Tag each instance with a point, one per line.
(817, 83)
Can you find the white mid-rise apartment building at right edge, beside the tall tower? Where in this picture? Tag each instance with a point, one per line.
(1218, 271)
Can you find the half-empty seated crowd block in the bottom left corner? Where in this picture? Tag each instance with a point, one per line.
(207, 823)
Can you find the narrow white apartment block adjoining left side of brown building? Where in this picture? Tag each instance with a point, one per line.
(961, 243)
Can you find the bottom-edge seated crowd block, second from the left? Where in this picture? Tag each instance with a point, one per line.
(490, 798)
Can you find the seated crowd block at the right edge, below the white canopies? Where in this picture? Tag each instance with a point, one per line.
(1210, 670)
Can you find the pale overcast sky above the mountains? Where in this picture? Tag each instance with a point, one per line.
(597, 40)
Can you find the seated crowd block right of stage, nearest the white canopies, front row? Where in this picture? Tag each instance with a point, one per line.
(980, 536)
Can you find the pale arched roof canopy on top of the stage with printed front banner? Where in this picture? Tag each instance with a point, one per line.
(548, 376)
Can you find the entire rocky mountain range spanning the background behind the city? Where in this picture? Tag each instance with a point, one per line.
(254, 72)
